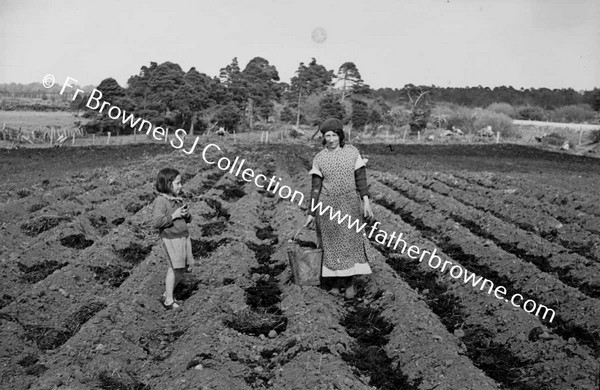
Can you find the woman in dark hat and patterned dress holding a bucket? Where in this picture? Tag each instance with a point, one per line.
(338, 178)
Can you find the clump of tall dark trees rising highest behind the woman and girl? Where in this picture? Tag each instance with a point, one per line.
(237, 99)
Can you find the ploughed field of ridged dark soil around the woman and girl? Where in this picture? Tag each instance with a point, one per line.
(82, 273)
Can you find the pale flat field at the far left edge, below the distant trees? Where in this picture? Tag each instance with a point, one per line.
(34, 120)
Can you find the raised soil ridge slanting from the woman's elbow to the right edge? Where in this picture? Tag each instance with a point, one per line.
(576, 315)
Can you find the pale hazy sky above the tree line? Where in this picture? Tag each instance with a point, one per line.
(447, 43)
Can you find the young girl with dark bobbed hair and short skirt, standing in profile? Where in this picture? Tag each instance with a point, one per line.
(170, 216)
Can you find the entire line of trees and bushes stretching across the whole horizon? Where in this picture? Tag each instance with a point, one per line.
(239, 99)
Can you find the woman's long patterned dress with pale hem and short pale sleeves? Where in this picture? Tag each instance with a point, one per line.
(345, 252)
